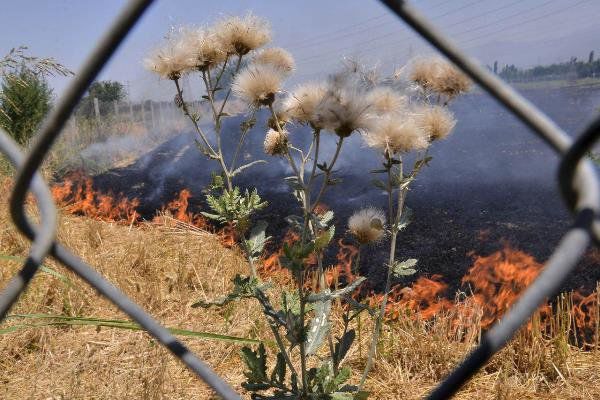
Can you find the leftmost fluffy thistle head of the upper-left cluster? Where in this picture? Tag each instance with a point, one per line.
(170, 61)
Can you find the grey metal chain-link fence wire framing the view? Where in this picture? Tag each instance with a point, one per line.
(576, 177)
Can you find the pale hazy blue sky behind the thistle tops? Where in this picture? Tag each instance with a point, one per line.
(319, 33)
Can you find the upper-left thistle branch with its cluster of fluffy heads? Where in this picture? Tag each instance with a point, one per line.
(217, 54)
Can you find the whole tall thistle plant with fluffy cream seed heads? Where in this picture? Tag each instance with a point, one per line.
(393, 116)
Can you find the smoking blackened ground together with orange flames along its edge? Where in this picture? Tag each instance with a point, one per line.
(487, 215)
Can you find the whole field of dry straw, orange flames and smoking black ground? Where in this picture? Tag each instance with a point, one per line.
(486, 215)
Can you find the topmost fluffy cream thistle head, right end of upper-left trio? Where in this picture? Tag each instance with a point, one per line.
(240, 35)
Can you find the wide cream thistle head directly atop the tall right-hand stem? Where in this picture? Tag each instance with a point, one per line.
(396, 134)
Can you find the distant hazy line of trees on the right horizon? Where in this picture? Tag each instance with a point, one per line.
(572, 69)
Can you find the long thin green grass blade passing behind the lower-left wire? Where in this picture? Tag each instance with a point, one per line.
(64, 320)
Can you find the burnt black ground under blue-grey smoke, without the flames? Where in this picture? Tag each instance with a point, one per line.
(492, 175)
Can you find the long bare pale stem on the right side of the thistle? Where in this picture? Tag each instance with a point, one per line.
(394, 219)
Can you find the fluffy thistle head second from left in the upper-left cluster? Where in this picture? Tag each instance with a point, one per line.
(204, 46)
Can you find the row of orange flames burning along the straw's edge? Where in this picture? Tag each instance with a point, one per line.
(492, 284)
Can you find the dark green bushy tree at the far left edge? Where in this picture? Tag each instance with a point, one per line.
(25, 99)
